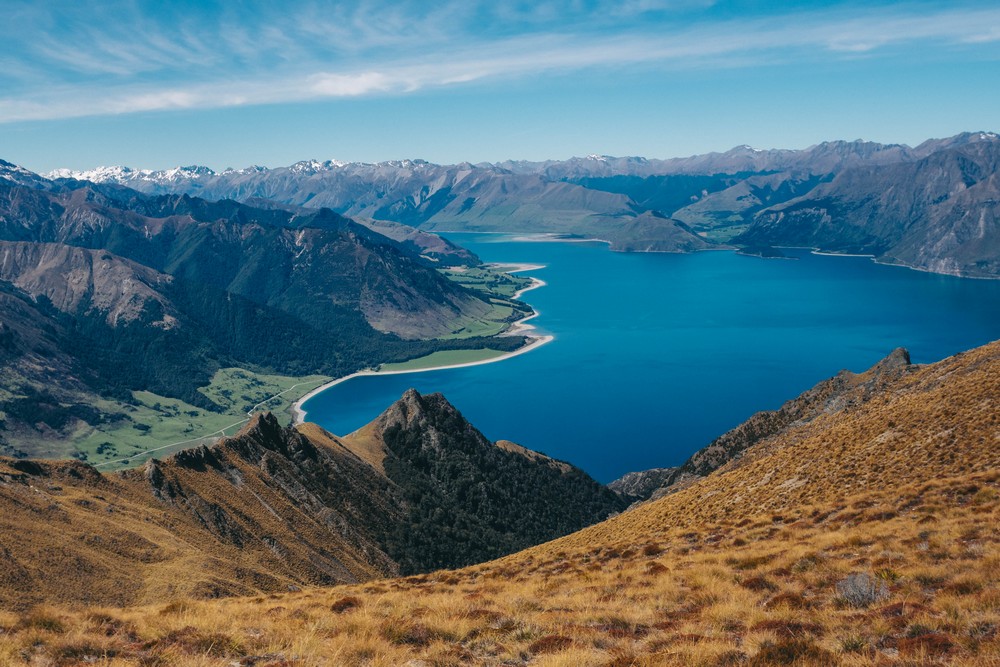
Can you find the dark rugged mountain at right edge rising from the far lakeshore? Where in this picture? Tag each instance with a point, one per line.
(937, 213)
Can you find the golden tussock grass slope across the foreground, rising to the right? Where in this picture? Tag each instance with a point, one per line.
(866, 536)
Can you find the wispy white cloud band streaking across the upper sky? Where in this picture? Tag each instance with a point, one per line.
(97, 61)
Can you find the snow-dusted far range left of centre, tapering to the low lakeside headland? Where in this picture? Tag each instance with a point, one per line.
(433, 197)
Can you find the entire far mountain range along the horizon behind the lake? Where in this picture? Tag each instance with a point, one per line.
(930, 207)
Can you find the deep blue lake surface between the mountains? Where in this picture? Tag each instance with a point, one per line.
(657, 354)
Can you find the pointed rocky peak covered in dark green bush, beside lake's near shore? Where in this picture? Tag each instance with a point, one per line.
(471, 500)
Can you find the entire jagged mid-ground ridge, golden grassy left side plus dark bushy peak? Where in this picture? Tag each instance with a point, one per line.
(274, 508)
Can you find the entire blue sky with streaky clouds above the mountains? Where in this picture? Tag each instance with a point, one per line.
(159, 84)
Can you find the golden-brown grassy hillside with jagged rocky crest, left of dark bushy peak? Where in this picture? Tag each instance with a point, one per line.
(253, 513)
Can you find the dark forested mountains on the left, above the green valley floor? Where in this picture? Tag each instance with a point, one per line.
(107, 291)
